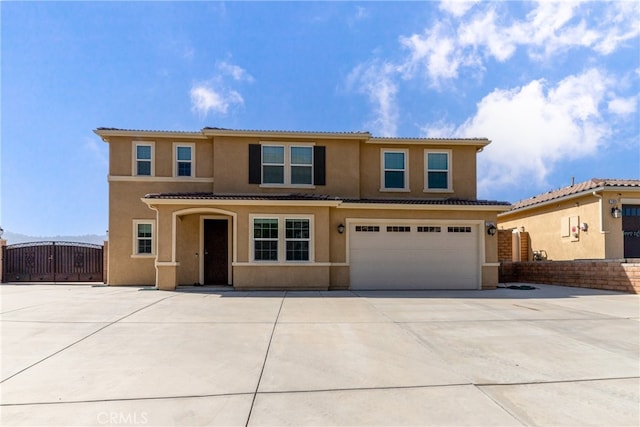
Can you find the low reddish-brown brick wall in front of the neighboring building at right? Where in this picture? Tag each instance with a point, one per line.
(595, 274)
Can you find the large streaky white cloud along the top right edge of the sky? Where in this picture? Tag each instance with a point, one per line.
(487, 31)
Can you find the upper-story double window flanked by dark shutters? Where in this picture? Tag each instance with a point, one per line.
(287, 165)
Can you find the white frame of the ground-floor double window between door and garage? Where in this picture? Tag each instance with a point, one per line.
(282, 240)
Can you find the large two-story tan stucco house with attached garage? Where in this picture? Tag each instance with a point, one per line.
(297, 210)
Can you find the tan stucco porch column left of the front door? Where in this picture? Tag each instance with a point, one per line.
(166, 265)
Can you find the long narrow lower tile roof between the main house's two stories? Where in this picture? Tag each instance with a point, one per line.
(320, 197)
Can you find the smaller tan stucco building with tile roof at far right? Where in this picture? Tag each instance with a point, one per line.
(595, 219)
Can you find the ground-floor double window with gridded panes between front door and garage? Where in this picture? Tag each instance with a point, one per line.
(282, 239)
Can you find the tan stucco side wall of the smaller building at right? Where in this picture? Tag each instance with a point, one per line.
(544, 227)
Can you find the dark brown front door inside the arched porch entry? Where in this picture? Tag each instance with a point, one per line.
(216, 252)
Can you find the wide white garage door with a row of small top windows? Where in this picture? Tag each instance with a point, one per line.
(424, 256)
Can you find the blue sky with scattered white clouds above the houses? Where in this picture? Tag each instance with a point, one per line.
(555, 86)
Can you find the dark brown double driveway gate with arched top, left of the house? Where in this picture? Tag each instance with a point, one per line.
(53, 262)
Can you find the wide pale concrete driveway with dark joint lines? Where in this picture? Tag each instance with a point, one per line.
(552, 356)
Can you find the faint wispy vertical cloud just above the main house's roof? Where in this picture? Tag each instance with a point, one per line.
(377, 82)
